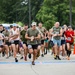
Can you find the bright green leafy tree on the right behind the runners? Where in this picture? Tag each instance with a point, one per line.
(52, 11)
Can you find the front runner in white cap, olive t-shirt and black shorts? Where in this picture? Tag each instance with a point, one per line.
(32, 35)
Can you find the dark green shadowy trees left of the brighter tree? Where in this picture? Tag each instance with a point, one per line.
(14, 11)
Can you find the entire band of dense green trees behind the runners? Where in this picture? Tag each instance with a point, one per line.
(46, 11)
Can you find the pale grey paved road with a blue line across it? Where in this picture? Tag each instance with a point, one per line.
(44, 66)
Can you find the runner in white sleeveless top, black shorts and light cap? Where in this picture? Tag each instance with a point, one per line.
(14, 39)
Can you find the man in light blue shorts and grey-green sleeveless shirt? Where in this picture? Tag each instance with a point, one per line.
(56, 32)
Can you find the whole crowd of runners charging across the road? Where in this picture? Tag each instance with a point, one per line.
(31, 41)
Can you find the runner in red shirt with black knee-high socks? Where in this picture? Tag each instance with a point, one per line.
(69, 40)
